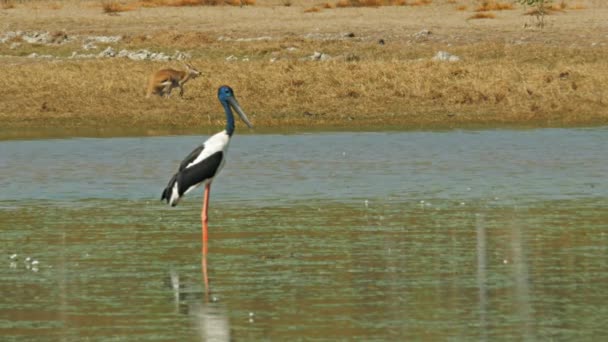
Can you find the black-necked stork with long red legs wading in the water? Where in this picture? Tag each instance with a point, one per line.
(206, 161)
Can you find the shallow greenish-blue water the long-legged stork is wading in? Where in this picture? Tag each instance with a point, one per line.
(477, 235)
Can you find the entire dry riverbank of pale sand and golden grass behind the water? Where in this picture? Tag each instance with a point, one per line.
(373, 67)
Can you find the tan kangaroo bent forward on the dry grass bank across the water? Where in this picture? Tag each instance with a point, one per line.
(164, 80)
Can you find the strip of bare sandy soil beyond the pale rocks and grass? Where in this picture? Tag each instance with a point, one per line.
(270, 18)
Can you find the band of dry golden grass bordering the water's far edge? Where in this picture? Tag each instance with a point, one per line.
(513, 87)
